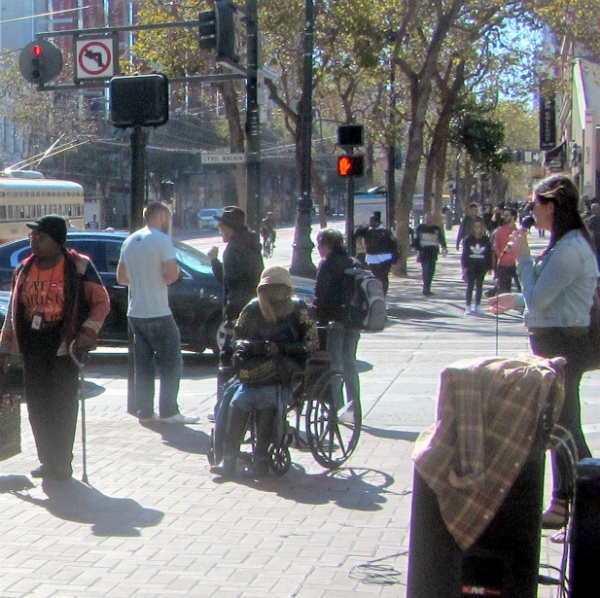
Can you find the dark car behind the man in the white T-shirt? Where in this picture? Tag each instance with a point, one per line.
(196, 298)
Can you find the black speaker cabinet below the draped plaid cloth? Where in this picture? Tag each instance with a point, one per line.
(503, 562)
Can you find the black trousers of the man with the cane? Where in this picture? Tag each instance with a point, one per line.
(51, 385)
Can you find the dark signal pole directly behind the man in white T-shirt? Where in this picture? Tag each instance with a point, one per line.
(136, 221)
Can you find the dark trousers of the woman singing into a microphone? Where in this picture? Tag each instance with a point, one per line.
(555, 342)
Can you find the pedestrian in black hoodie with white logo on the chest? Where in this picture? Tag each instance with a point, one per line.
(476, 262)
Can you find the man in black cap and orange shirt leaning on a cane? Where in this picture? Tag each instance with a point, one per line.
(57, 299)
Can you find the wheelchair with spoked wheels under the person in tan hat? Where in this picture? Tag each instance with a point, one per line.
(323, 416)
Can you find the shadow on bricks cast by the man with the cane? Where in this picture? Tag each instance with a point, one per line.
(74, 501)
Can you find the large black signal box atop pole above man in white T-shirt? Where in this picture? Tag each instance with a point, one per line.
(139, 100)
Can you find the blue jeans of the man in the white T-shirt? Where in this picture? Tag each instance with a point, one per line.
(156, 344)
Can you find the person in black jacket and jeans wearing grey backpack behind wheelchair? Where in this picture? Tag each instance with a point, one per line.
(332, 293)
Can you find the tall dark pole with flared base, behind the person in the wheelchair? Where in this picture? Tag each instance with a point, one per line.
(303, 246)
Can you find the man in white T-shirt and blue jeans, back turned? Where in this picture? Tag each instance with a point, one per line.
(148, 266)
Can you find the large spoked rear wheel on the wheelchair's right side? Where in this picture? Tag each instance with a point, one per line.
(332, 433)
